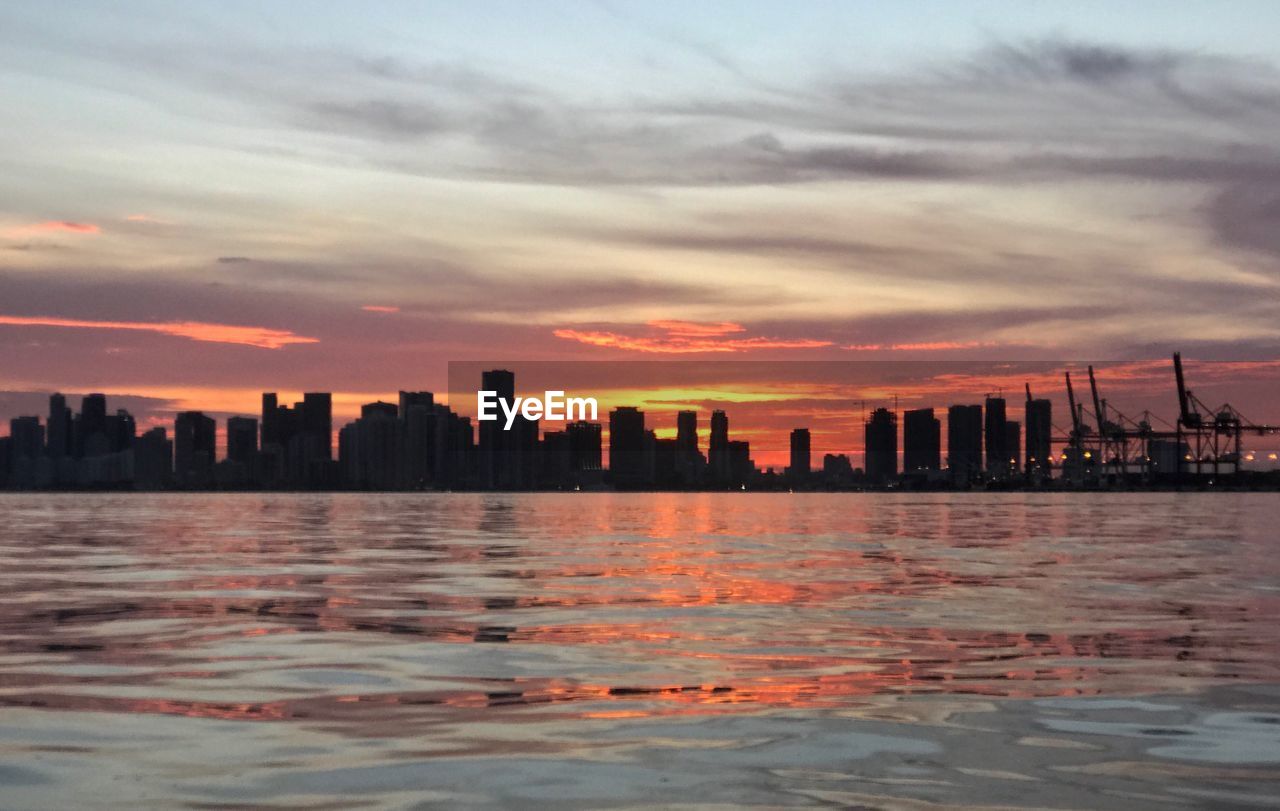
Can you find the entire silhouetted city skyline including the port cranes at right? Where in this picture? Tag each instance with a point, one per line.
(418, 443)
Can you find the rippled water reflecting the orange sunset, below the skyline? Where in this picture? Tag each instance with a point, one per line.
(641, 650)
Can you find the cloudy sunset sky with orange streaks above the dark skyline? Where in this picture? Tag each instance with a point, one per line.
(204, 201)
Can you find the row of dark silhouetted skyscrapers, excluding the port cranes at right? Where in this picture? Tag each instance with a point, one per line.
(419, 445)
